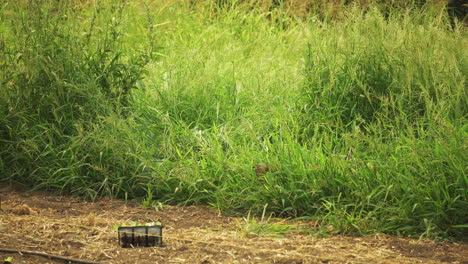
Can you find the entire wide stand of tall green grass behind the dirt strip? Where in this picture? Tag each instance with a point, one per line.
(361, 119)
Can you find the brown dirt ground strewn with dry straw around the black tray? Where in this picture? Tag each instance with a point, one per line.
(83, 230)
